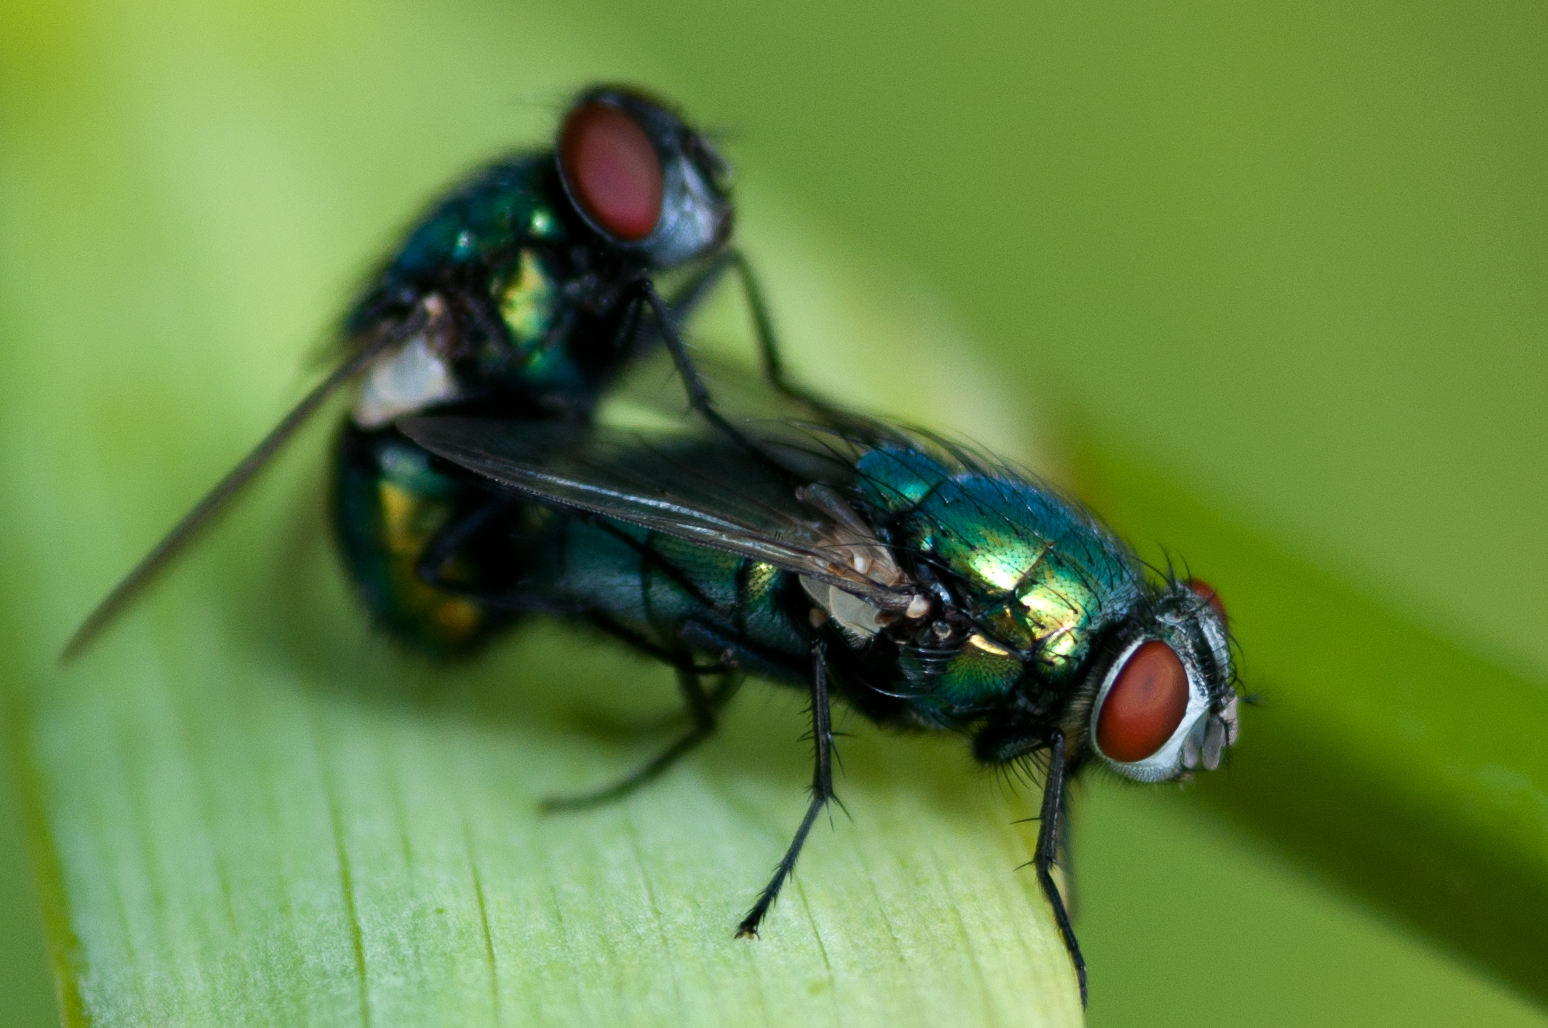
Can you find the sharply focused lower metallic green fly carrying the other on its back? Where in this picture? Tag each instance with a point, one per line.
(919, 583)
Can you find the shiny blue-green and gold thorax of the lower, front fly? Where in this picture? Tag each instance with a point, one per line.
(1035, 575)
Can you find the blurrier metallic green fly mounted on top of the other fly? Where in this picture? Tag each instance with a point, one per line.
(522, 293)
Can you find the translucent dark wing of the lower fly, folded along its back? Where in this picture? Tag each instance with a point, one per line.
(704, 490)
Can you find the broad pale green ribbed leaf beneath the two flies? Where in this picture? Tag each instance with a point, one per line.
(247, 810)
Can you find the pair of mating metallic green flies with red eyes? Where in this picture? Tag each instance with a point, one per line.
(922, 584)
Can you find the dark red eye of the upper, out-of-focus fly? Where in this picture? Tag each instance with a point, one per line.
(612, 170)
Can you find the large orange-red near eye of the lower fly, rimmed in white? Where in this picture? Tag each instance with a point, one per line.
(1145, 707)
